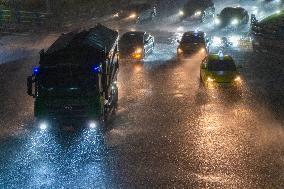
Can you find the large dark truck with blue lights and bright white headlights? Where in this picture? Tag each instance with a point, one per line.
(76, 78)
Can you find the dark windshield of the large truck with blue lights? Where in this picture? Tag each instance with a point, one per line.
(68, 77)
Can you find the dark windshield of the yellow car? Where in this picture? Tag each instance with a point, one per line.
(222, 65)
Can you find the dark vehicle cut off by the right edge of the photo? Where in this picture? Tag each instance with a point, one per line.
(268, 34)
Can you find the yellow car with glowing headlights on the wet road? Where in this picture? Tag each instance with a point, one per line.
(219, 68)
